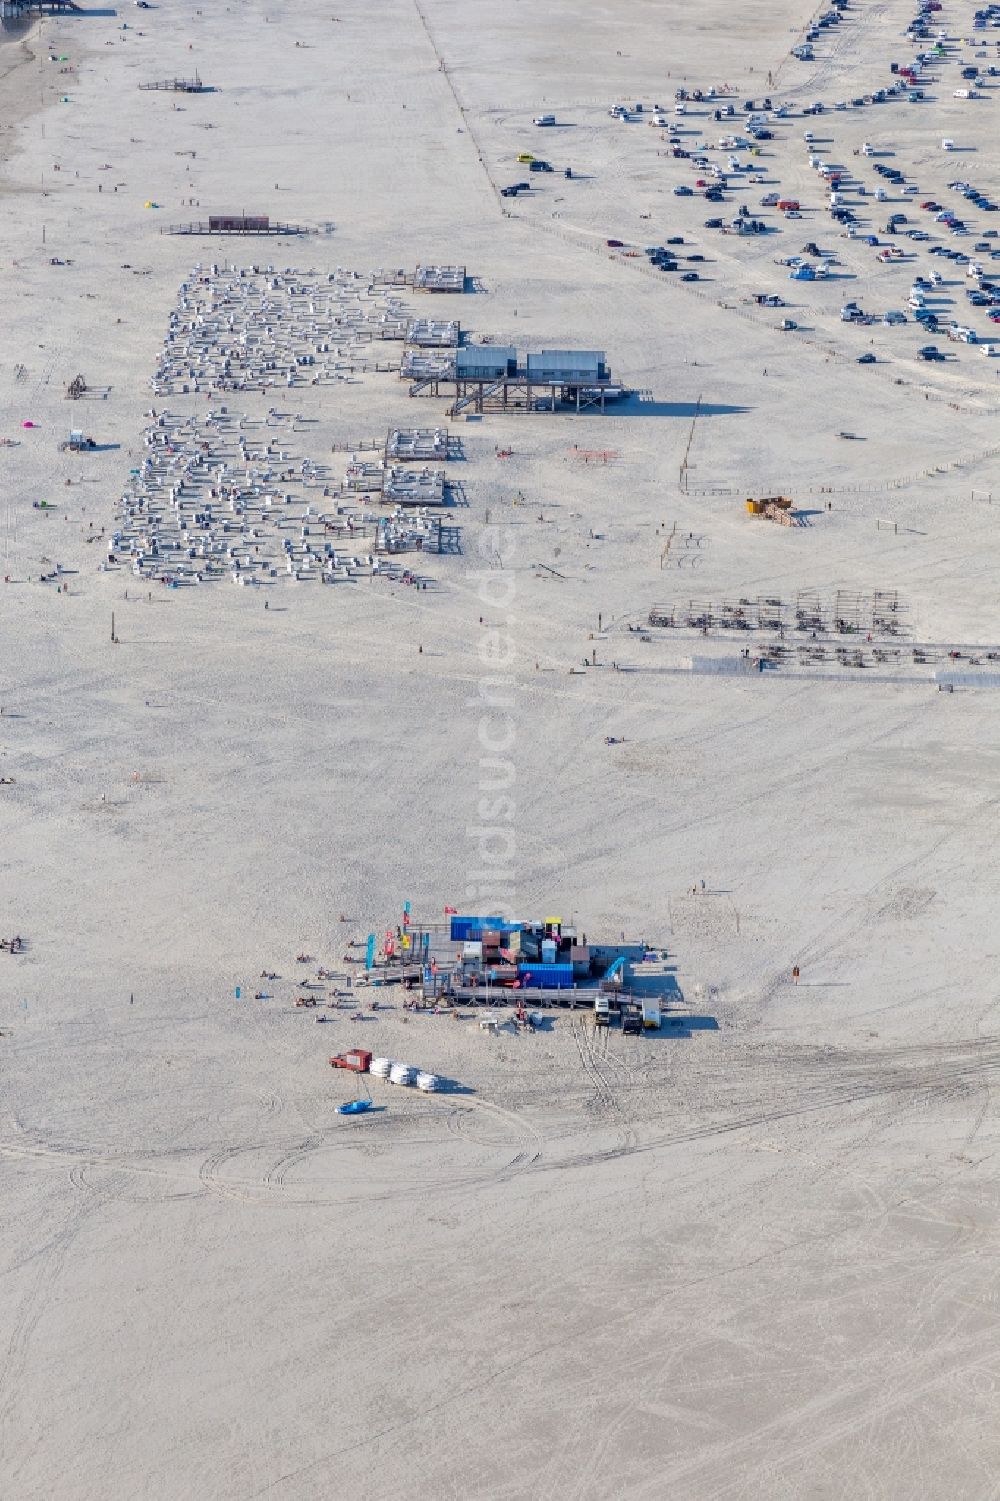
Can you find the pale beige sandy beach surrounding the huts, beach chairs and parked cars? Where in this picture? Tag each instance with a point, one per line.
(750, 1259)
